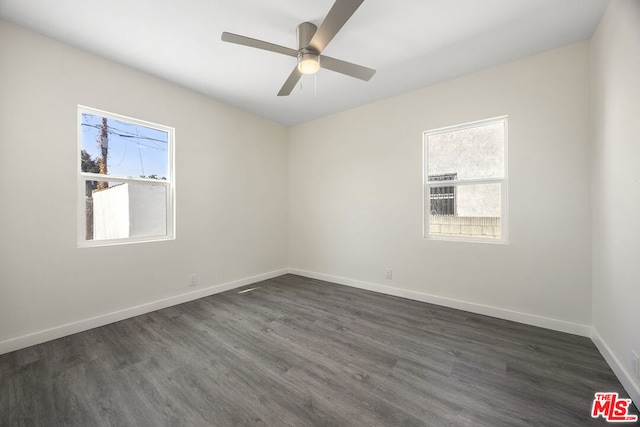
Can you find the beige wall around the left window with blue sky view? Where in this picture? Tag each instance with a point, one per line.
(231, 179)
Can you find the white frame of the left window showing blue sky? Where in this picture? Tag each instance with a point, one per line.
(83, 177)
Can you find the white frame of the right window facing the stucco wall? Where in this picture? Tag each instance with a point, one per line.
(426, 187)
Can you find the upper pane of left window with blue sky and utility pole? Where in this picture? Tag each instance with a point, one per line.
(120, 148)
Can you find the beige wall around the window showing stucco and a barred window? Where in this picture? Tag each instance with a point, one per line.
(355, 181)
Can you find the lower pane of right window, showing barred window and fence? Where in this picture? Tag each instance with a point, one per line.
(477, 213)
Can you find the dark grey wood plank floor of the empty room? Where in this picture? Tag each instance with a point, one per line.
(302, 352)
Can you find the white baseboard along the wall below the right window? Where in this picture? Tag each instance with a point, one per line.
(501, 313)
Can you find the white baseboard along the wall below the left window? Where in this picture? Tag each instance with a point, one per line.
(39, 337)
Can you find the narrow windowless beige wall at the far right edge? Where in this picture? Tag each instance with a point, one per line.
(615, 59)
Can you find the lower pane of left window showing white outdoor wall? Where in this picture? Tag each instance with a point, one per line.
(117, 210)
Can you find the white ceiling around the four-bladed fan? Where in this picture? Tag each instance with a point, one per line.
(411, 43)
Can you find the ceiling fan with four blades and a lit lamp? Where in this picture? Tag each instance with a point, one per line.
(312, 41)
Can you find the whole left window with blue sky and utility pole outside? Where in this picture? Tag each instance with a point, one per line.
(125, 190)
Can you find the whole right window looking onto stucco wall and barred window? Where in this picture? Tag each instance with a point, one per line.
(465, 182)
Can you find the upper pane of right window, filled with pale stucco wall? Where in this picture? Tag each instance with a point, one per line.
(471, 153)
